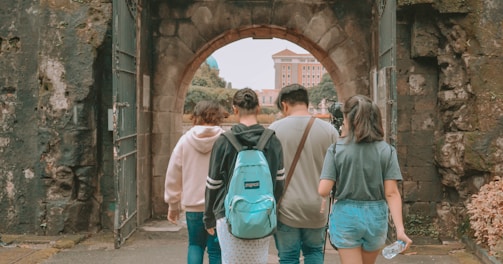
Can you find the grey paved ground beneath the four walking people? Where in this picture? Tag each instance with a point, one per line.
(161, 242)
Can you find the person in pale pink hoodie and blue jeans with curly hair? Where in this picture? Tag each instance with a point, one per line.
(186, 179)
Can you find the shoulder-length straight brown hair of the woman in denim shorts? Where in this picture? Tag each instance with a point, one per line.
(363, 118)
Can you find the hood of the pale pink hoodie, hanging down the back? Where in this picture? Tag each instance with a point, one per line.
(201, 138)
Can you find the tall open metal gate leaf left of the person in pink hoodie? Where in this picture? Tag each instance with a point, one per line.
(124, 118)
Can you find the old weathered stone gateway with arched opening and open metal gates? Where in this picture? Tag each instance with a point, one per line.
(92, 92)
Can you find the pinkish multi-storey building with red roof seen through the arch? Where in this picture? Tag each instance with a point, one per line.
(291, 67)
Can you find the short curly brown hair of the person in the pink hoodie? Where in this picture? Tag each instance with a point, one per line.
(208, 112)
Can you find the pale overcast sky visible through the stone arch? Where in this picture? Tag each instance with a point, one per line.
(248, 62)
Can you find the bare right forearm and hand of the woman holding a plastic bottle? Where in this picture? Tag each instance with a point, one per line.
(395, 206)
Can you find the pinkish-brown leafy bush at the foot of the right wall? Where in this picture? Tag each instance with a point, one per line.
(486, 214)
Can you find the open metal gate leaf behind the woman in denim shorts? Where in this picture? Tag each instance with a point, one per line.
(385, 94)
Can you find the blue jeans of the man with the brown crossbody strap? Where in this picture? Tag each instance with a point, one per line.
(290, 241)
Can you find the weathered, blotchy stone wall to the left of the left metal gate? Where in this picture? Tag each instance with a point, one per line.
(49, 171)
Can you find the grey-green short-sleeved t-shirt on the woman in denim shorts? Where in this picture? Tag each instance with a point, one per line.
(359, 169)
